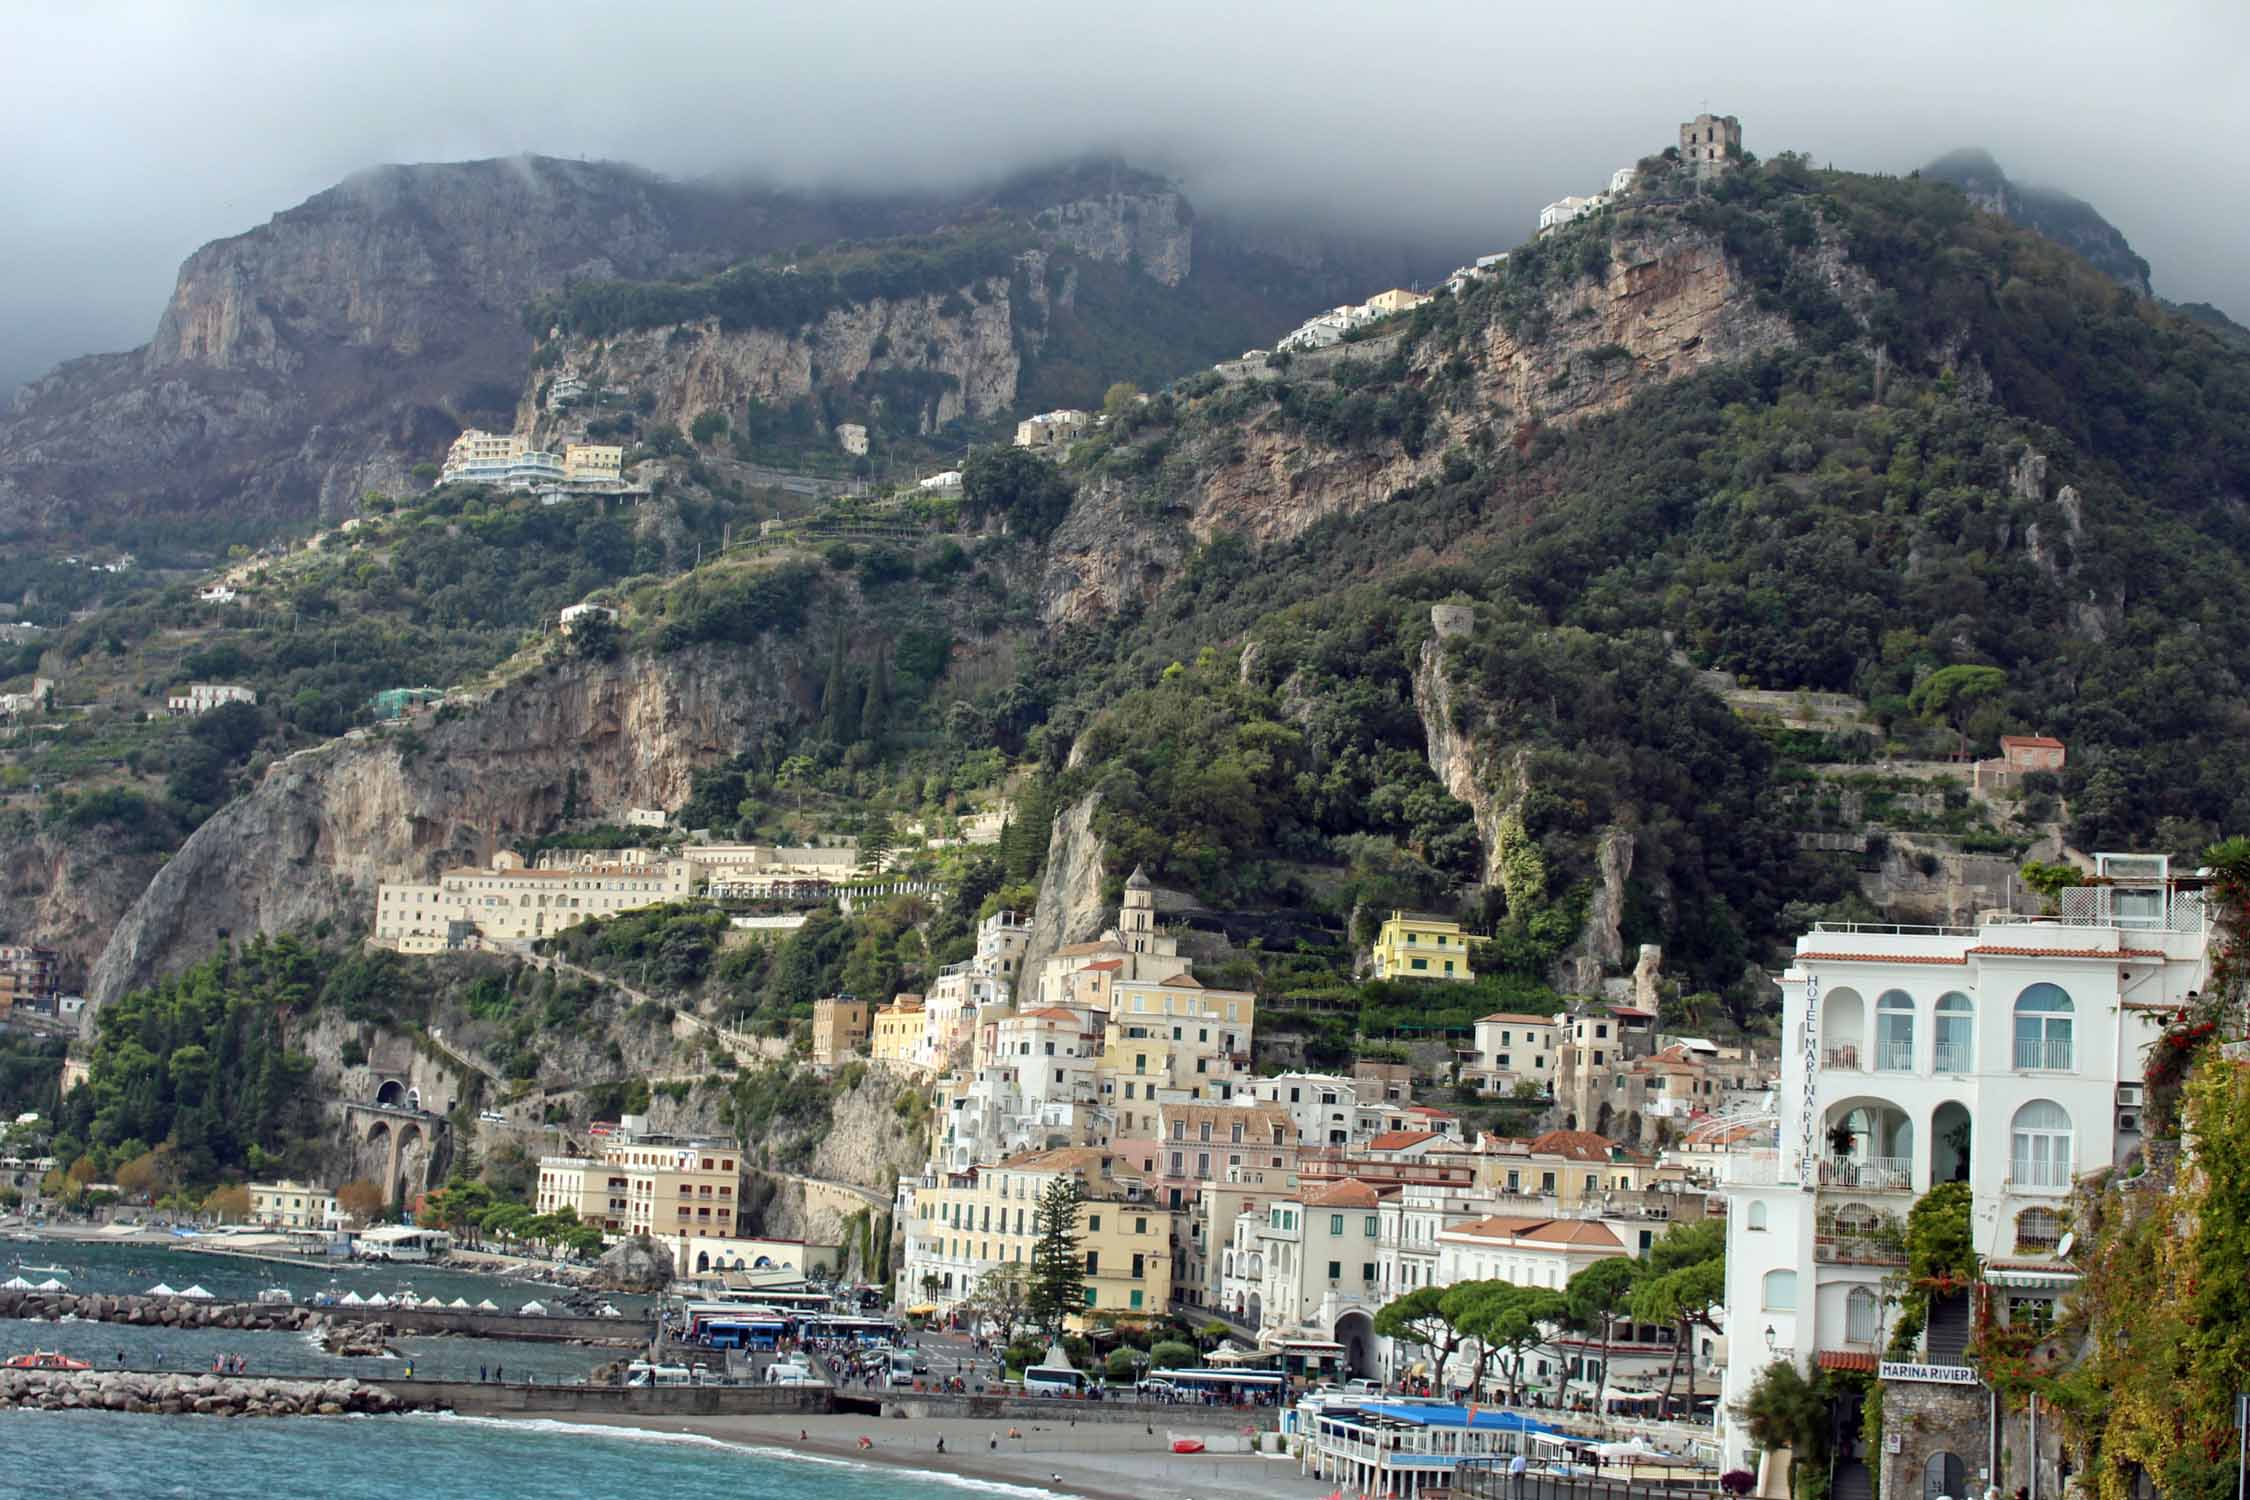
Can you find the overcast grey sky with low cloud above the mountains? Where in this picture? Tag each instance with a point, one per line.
(141, 129)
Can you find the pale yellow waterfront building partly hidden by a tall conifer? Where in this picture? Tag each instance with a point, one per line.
(987, 1218)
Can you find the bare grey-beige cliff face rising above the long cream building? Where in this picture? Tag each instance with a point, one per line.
(323, 826)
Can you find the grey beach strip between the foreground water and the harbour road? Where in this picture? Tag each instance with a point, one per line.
(1099, 1461)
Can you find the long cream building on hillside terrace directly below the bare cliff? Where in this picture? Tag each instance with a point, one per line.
(516, 905)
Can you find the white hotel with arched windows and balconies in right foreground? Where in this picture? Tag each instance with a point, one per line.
(2006, 1056)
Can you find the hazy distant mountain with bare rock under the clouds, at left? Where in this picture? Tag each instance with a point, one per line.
(348, 341)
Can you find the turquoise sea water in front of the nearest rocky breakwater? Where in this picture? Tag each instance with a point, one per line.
(93, 1456)
